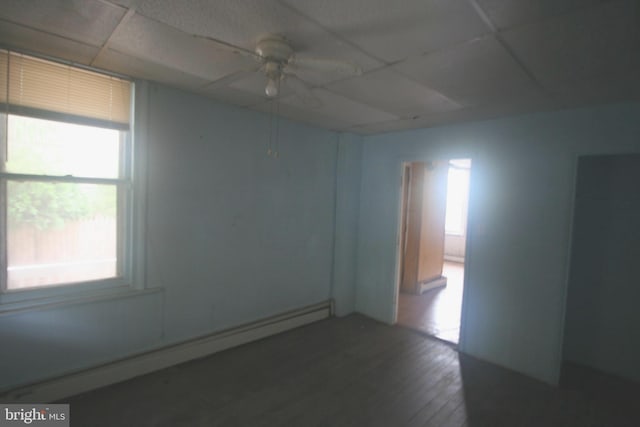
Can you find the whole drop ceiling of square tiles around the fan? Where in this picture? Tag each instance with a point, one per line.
(424, 62)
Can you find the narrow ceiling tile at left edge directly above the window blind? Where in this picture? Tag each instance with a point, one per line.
(21, 37)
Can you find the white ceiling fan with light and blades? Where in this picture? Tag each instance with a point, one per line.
(279, 62)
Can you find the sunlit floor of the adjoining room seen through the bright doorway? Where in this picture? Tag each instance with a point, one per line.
(437, 311)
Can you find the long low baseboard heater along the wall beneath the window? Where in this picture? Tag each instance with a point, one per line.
(144, 363)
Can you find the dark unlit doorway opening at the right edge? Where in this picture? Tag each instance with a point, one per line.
(602, 319)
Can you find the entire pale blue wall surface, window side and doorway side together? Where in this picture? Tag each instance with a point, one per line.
(234, 235)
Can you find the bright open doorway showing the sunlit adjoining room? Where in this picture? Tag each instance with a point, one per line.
(434, 208)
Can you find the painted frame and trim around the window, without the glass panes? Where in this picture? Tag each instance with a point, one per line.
(130, 212)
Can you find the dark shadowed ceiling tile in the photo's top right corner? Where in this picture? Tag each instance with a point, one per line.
(593, 42)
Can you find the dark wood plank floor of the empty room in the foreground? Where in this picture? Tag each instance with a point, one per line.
(354, 371)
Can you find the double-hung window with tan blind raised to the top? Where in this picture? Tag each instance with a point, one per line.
(65, 175)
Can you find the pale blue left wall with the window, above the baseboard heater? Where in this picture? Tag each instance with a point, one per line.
(233, 235)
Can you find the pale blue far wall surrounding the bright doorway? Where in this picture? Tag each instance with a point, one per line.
(520, 223)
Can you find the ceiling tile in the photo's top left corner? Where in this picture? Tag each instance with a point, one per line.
(88, 21)
